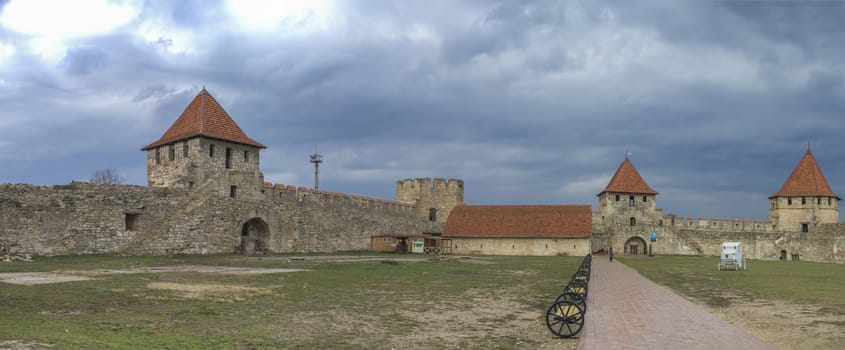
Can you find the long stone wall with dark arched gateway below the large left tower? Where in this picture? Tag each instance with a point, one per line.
(84, 218)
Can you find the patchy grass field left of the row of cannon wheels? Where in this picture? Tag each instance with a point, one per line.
(486, 302)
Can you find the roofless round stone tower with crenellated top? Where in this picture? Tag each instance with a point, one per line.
(433, 200)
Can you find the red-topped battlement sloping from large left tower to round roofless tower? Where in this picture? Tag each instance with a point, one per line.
(303, 195)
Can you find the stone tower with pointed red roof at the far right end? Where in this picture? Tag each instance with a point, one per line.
(805, 199)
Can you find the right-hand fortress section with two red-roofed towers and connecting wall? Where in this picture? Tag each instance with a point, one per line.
(804, 222)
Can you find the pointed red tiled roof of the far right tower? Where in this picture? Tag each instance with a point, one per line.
(806, 180)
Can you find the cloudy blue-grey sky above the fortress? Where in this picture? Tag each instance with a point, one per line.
(528, 102)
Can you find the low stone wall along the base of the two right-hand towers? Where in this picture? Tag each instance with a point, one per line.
(703, 236)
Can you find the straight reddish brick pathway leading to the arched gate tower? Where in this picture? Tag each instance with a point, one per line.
(627, 311)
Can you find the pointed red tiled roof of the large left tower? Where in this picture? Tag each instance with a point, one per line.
(204, 117)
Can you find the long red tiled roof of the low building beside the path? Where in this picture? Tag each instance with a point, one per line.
(563, 221)
